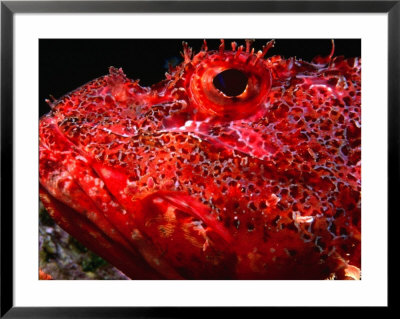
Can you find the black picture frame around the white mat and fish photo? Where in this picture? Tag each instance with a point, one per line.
(9, 8)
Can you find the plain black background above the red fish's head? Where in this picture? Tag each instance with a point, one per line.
(66, 64)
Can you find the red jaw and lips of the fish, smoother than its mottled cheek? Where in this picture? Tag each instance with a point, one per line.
(89, 200)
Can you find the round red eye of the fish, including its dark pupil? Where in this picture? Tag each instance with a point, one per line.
(228, 85)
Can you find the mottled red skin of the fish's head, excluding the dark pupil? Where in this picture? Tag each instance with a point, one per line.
(181, 181)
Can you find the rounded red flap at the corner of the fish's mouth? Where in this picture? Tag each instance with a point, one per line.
(187, 234)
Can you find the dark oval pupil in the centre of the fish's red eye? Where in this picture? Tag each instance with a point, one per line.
(231, 82)
